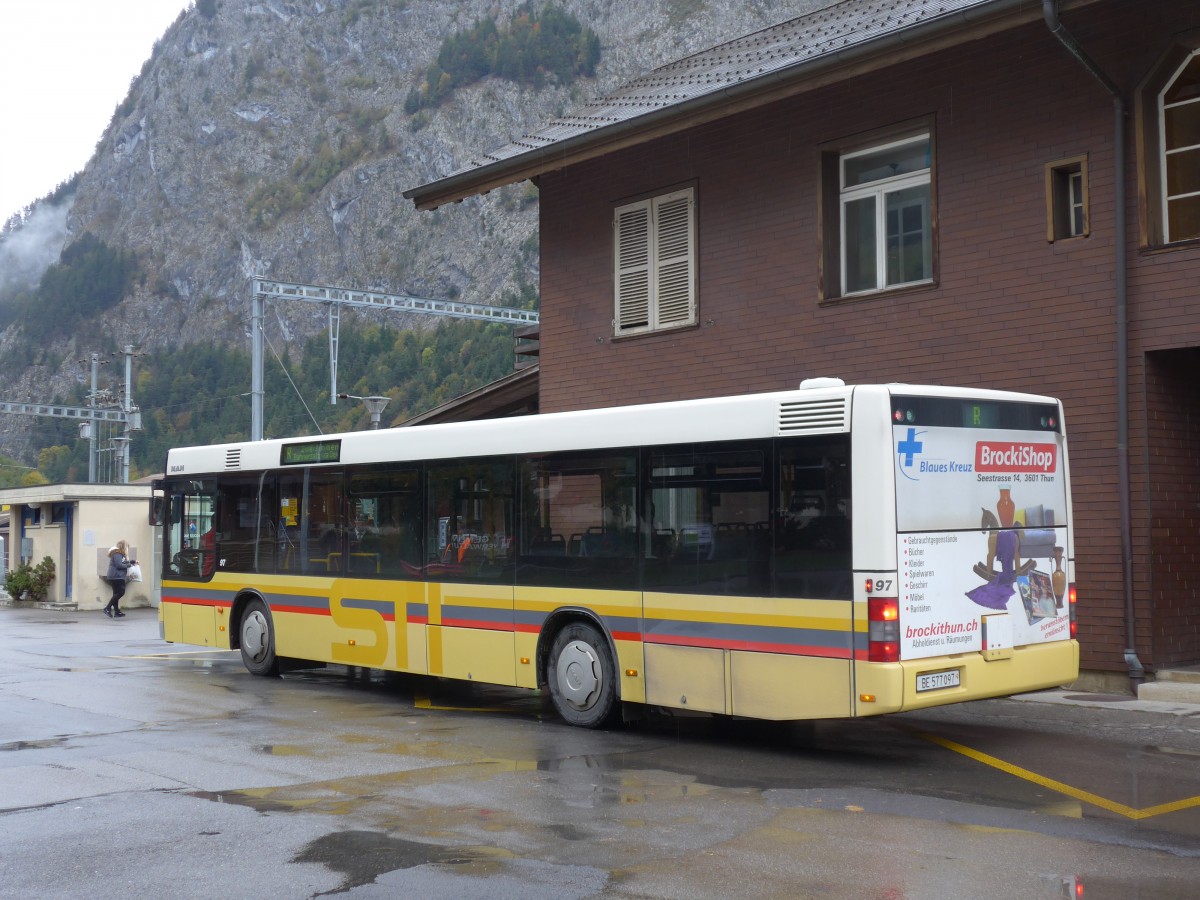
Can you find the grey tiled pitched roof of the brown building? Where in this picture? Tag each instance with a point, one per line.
(676, 95)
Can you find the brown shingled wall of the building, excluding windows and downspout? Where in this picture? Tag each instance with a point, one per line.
(1009, 310)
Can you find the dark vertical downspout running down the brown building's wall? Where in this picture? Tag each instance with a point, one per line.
(1051, 10)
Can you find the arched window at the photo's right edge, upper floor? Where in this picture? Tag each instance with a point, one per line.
(1179, 116)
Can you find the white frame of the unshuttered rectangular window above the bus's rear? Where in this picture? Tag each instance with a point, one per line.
(879, 191)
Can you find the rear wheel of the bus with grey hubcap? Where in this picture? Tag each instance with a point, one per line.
(583, 677)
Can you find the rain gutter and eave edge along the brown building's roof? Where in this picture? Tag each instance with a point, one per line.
(562, 153)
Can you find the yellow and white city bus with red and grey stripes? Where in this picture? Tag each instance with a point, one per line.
(830, 551)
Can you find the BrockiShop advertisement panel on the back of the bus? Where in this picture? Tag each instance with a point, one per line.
(982, 539)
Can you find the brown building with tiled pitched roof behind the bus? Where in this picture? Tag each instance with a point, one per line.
(999, 194)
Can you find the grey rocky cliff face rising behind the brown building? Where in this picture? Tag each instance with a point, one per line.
(215, 166)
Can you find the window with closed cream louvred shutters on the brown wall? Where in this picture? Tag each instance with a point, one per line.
(655, 250)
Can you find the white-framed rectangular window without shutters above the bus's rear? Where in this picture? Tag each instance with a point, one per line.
(886, 203)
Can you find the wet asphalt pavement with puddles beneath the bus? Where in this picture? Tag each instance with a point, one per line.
(133, 767)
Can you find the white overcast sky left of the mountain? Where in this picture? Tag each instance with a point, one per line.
(64, 68)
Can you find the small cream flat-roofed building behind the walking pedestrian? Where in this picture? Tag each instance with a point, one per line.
(76, 526)
